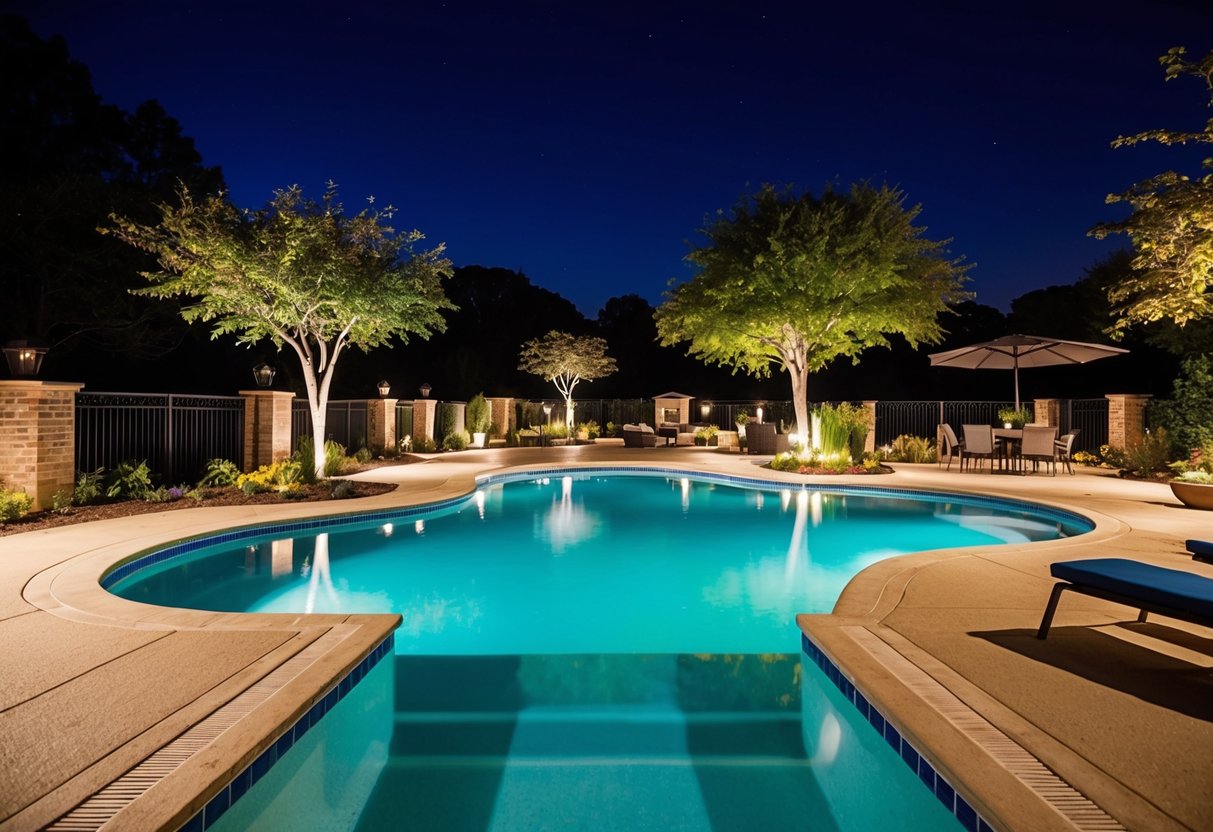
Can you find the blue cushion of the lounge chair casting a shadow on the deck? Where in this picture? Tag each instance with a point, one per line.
(1153, 585)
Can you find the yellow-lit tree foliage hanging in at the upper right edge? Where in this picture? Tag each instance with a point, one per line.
(1171, 226)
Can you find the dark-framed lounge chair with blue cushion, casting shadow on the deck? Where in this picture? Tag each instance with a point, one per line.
(1149, 589)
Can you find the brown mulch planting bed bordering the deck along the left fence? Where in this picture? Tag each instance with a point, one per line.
(212, 498)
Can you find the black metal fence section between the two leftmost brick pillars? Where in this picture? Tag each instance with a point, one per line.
(176, 435)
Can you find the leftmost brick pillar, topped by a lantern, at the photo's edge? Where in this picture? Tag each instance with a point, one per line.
(38, 438)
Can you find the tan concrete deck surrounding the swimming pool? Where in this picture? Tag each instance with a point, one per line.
(942, 642)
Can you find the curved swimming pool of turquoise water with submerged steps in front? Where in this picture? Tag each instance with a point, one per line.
(593, 652)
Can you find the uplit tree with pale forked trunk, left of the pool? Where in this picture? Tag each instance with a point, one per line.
(299, 272)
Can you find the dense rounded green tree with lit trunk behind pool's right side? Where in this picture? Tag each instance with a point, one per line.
(796, 282)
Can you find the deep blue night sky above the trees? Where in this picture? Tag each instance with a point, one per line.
(585, 144)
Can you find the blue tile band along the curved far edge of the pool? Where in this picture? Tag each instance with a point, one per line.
(153, 557)
